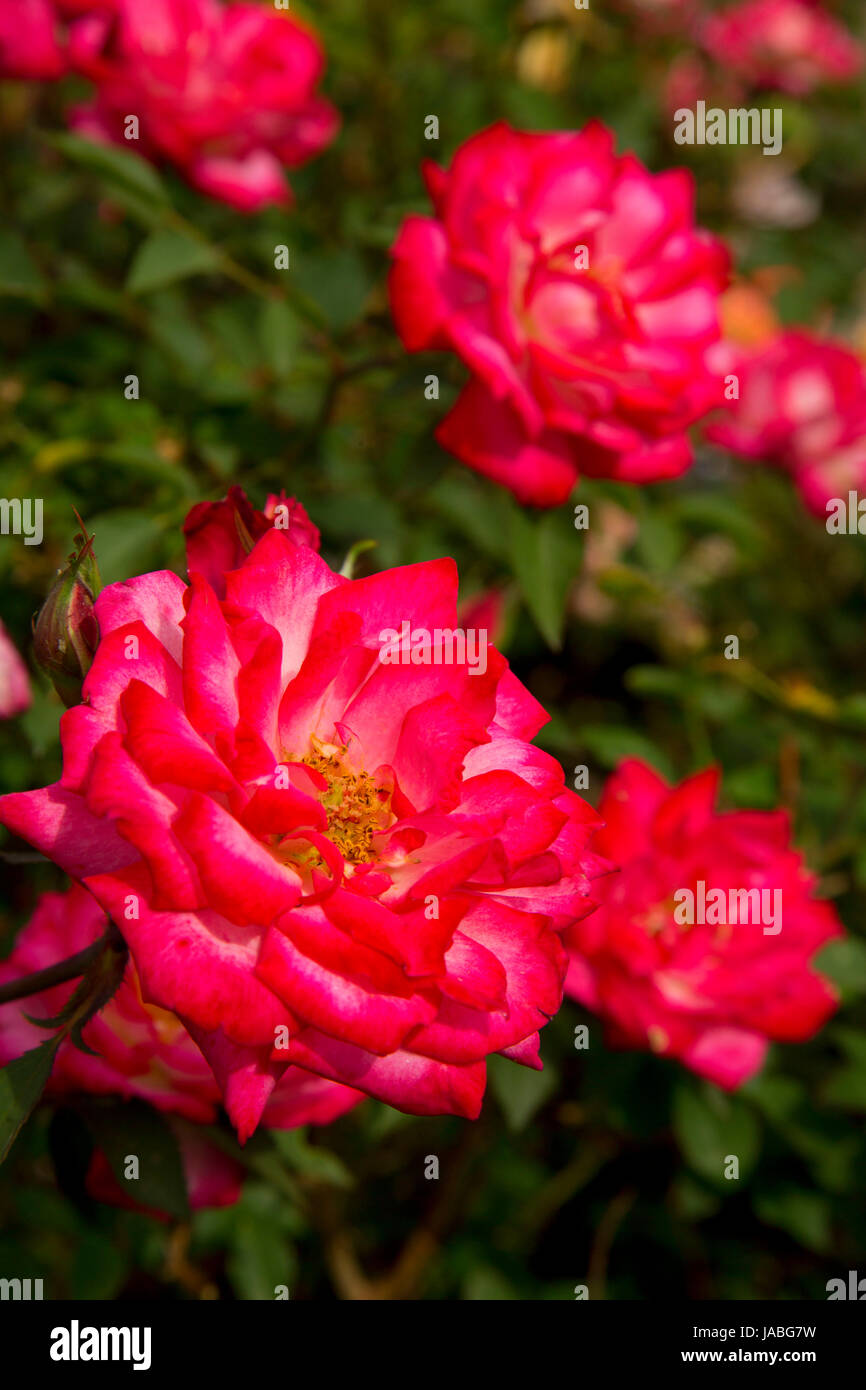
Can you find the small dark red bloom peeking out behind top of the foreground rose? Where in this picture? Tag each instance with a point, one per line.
(220, 534)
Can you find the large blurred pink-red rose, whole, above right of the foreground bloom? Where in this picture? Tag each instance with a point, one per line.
(579, 291)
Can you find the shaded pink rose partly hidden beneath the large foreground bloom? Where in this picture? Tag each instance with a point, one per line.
(144, 1053)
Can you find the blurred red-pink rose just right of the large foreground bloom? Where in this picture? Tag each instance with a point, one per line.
(711, 996)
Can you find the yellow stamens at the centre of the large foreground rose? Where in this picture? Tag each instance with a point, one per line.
(358, 808)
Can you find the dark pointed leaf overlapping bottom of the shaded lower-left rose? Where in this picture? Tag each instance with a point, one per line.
(134, 1129)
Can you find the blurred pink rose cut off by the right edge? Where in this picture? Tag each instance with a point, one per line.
(801, 408)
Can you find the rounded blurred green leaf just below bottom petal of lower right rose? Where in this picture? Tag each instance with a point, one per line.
(712, 1127)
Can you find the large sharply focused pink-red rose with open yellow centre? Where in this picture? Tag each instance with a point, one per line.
(320, 854)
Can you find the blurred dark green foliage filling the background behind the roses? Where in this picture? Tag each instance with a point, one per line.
(604, 1168)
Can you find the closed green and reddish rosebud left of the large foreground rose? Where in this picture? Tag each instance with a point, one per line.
(66, 633)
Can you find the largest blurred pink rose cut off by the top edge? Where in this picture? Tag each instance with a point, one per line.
(229, 94)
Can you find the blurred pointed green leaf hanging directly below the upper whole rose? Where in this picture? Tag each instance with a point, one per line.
(546, 558)
